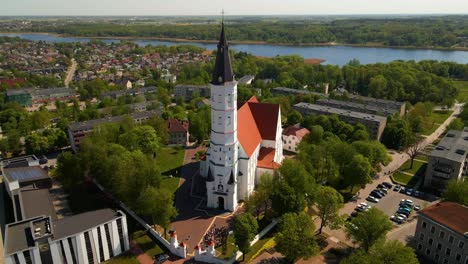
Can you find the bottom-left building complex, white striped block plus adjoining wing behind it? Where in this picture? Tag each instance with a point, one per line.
(39, 235)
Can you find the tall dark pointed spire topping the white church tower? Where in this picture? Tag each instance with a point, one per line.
(222, 71)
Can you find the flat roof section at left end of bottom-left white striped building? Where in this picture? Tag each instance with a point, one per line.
(18, 236)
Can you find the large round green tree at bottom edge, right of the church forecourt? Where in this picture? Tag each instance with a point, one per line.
(296, 237)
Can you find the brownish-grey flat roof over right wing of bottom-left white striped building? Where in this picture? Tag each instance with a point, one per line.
(71, 225)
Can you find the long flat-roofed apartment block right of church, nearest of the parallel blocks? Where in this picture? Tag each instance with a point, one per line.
(375, 124)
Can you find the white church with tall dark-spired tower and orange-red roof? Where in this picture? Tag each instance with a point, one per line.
(245, 139)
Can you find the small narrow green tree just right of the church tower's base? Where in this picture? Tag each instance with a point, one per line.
(245, 229)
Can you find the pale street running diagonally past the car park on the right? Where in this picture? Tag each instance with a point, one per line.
(397, 160)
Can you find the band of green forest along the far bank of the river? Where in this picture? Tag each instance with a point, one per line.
(438, 31)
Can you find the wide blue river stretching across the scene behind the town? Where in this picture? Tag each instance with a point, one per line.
(338, 55)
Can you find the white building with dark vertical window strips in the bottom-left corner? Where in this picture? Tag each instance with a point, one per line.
(87, 238)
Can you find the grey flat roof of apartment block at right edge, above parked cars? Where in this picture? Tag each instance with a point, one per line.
(454, 146)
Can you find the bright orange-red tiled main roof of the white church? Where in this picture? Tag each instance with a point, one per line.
(256, 121)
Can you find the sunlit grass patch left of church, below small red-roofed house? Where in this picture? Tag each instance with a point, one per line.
(170, 159)
